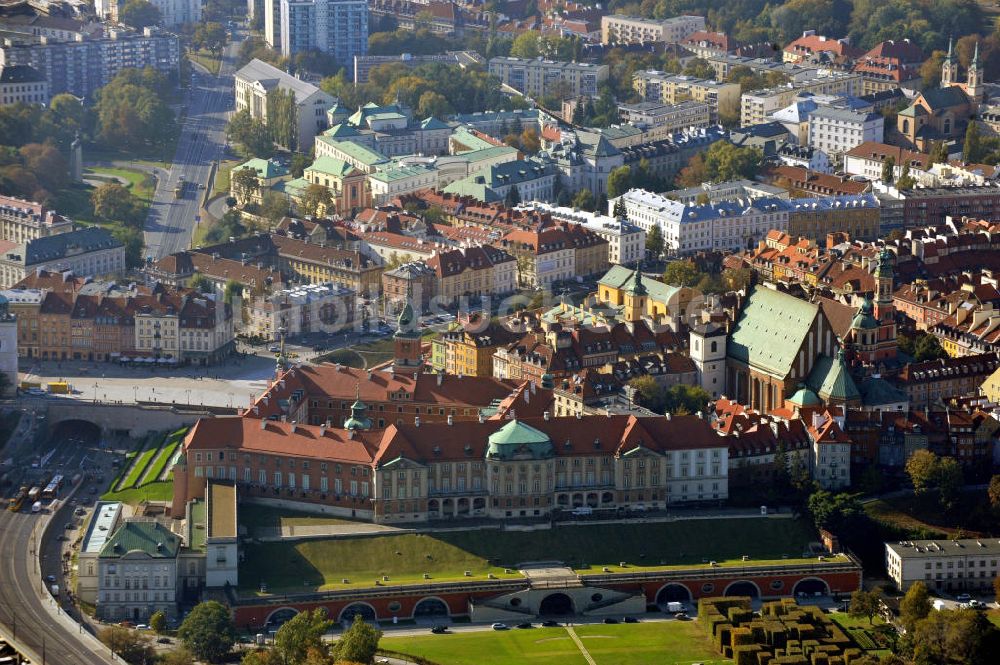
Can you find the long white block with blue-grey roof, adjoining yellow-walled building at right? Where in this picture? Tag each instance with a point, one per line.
(727, 225)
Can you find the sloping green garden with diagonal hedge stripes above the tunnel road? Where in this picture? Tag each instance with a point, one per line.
(145, 474)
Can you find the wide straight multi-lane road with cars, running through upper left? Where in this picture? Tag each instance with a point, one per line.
(171, 221)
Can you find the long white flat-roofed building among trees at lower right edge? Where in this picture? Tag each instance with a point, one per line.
(965, 564)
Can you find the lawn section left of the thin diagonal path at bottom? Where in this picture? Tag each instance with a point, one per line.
(540, 646)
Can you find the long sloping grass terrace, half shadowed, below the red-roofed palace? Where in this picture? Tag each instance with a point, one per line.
(323, 563)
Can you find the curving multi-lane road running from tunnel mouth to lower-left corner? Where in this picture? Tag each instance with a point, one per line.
(27, 612)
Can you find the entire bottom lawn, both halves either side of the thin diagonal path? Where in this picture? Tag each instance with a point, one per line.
(625, 644)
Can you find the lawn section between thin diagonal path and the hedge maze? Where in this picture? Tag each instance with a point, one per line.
(657, 642)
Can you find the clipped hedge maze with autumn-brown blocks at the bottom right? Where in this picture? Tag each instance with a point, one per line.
(784, 633)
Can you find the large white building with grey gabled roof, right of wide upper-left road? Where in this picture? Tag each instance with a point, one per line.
(257, 78)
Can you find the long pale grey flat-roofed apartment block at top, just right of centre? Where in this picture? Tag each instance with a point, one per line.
(540, 77)
